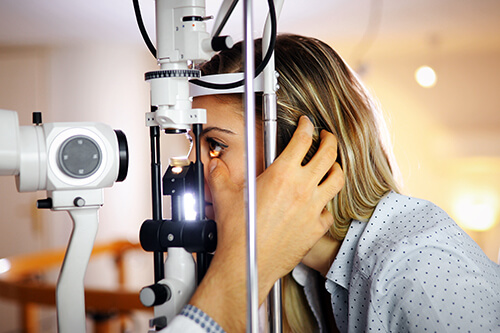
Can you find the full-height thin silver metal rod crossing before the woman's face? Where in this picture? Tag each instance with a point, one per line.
(251, 209)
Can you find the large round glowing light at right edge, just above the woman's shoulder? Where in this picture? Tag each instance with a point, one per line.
(477, 210)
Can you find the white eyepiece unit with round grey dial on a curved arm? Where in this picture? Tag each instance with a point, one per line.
(73, 162)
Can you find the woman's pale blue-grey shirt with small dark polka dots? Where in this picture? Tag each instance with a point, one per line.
(412, 269)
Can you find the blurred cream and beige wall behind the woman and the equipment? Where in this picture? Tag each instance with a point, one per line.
(85, 61)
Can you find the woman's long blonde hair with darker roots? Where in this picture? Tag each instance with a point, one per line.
(316, 82)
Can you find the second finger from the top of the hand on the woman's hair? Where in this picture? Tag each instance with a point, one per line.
(324, 158)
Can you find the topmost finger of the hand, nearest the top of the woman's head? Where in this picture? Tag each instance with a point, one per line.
(300, 143)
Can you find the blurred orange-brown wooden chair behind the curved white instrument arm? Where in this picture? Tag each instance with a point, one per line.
(19, 283)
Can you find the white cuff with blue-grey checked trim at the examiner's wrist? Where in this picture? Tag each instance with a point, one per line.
(193, 320)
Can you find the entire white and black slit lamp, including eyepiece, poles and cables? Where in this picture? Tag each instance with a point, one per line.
(73, 162)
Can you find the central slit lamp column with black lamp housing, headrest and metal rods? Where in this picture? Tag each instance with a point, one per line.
(182, 42)
